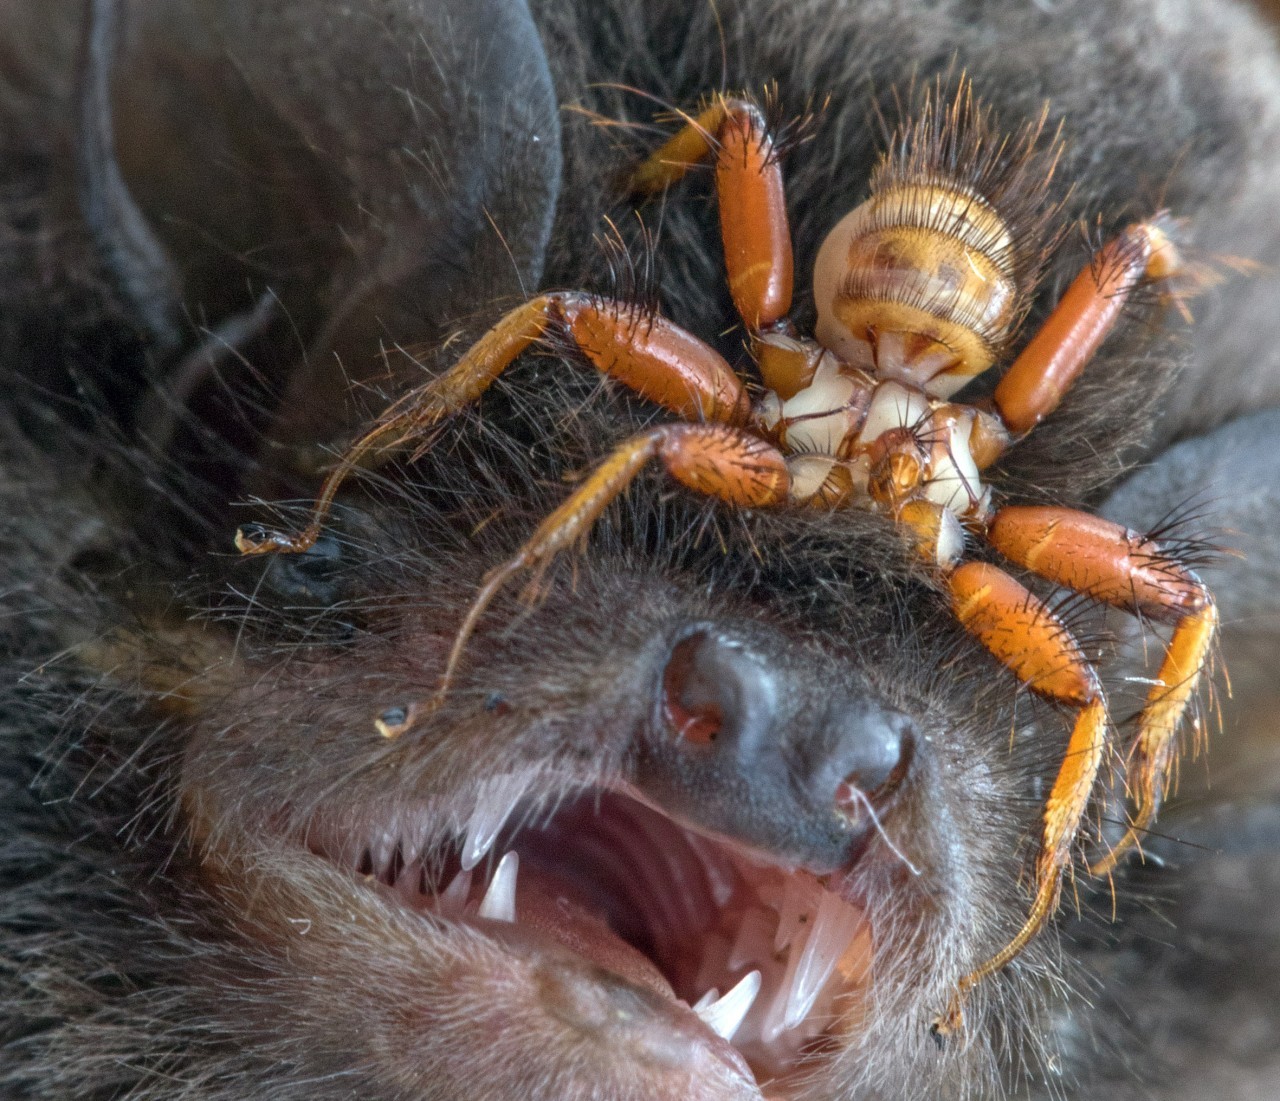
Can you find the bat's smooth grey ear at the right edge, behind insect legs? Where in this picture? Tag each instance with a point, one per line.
(1222, 488)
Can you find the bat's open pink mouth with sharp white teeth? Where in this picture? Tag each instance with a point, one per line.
(720, 940)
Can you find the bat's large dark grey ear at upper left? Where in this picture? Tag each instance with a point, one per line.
(292, 186)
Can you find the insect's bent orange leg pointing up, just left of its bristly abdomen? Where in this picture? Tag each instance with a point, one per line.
(752, 203)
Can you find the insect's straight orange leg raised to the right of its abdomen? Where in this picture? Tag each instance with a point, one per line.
(1053, 360)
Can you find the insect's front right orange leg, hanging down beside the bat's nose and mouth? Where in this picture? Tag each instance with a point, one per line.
(1028, 638)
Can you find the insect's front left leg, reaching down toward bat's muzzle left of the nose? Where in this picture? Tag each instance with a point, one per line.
(719, 460)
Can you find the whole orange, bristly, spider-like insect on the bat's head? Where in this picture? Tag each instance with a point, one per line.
(920, 290)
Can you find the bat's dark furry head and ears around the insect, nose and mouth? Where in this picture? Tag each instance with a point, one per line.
(213, 218)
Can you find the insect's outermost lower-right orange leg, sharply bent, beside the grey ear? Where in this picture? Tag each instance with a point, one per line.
(1122, 568)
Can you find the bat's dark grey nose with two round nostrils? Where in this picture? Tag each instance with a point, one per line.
(752, 741)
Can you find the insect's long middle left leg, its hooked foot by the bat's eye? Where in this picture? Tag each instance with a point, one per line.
(646, 353)
